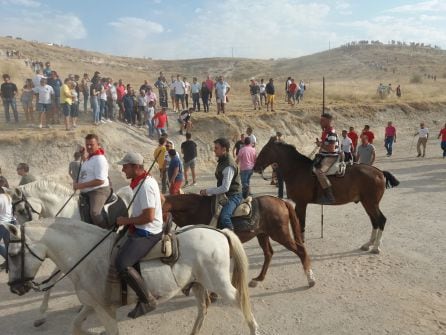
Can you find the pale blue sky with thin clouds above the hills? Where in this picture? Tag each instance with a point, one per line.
(174, 29)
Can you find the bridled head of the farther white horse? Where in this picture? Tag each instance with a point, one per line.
(24, 208)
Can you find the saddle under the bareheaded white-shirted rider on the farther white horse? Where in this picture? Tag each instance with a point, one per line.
(113, 208)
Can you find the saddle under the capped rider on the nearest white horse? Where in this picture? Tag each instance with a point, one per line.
(166, 250)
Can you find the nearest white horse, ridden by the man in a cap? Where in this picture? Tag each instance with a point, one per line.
(204, 260)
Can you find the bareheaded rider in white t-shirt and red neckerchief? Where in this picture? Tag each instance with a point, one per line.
(93, 181)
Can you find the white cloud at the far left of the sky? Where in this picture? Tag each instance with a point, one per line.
(34, 25)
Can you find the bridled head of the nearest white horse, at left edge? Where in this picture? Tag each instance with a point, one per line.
(23, 260)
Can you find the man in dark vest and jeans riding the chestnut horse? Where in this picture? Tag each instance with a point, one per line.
(228, 182)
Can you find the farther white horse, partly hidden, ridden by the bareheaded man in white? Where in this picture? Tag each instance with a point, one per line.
(43, 199)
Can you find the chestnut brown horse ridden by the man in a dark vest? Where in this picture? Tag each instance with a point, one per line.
(272, 220)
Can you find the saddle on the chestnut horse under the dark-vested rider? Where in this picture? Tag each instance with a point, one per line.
(243, 217)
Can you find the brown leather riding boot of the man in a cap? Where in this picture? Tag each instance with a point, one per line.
(146, 301)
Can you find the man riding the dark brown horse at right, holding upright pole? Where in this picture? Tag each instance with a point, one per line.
(327, 156)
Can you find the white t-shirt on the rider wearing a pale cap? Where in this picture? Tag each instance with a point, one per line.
(148, 197)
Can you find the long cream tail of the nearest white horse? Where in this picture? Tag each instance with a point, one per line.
(240, 274)
